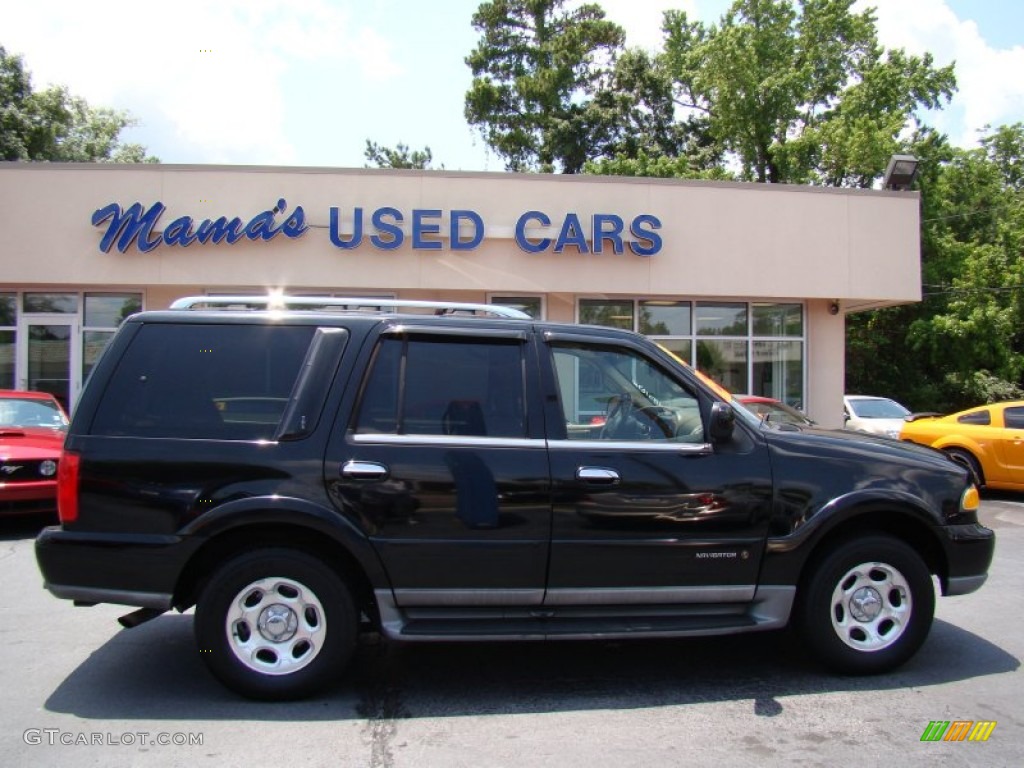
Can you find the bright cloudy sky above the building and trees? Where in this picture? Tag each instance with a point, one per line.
(309, 82)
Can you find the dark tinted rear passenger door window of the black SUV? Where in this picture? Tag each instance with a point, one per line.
(446, 387)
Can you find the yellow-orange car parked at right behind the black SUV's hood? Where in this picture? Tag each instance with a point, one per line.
(988, 440)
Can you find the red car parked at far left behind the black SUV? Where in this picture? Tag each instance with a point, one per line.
(32, 433)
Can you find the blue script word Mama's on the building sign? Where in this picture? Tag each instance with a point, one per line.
(139, 226)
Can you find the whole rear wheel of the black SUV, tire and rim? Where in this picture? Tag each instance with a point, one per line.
(276, 625)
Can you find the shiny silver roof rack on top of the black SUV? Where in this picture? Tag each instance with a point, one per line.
(352, 303)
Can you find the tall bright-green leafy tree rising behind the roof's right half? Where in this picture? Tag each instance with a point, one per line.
(794, 93)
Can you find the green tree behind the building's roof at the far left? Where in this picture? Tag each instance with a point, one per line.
(56, 125)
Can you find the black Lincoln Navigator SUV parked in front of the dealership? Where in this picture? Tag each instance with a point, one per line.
(302, 471)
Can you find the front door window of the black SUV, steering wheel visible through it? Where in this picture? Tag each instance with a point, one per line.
(617, 395)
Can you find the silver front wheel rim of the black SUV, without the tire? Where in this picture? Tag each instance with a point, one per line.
(872, 607)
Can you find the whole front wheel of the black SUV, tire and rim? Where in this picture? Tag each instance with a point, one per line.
(867, 607)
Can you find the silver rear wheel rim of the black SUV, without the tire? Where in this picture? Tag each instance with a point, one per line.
(276, 626)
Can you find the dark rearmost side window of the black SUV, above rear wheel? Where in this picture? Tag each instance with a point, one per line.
(204, 382)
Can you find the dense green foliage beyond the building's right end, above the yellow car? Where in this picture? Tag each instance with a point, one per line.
(964, 345)
